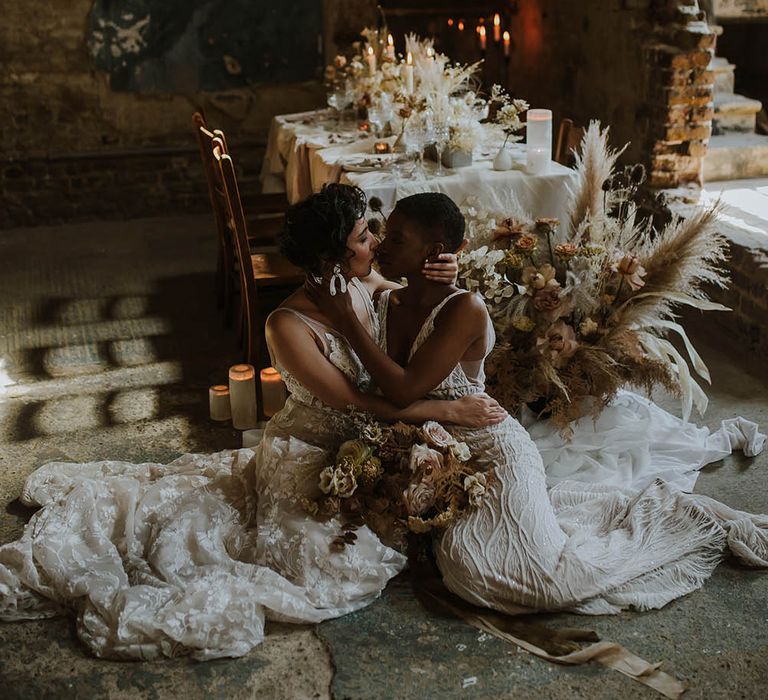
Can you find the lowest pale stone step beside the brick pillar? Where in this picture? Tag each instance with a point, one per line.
(736, 156)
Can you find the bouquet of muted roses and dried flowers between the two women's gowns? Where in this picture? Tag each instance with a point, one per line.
(397, 479)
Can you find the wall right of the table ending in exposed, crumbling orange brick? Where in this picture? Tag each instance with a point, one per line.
(639, 66)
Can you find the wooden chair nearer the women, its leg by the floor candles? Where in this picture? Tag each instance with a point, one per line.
(258, 271)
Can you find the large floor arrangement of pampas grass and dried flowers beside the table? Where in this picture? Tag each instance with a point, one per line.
(585, 308)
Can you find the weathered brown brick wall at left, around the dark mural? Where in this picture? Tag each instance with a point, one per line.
(71, 148)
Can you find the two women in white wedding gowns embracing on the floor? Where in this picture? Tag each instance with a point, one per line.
(191, 556)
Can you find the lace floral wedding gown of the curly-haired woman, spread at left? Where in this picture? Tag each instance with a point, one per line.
(189, 557)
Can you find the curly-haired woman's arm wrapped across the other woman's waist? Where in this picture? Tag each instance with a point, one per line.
(296, 350)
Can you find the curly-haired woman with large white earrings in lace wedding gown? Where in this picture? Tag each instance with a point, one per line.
(189, 557)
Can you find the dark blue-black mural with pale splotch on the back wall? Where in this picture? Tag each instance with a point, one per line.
(190, 45)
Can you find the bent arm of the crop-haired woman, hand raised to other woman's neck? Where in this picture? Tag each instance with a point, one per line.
(461, 322)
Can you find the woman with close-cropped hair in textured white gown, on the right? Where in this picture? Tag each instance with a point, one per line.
(582, 547)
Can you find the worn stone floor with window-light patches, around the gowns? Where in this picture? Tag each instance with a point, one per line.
(108, 342)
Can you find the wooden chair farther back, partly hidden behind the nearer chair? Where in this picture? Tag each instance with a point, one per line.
(268, 216)
